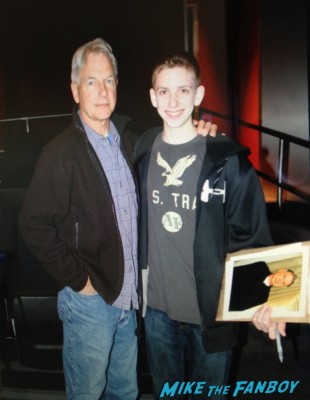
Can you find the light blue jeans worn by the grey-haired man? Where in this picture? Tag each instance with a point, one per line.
(100, 348)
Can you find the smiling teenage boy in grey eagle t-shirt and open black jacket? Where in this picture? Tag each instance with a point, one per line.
(200, 200)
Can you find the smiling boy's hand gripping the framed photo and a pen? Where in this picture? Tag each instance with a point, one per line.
(263, 322)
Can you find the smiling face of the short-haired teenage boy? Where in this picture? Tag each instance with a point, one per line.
(175, 94)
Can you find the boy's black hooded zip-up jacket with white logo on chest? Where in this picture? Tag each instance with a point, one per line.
(230, 216)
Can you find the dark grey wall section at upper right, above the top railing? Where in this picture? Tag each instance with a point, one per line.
(284, 52)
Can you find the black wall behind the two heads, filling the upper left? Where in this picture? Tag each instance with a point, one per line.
(38, 39)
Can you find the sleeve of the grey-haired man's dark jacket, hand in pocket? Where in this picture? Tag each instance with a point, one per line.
(46, 207)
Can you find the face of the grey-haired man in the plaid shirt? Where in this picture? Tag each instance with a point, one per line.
(96, 91)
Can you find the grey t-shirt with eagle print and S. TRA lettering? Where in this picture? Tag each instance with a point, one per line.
(171, 189)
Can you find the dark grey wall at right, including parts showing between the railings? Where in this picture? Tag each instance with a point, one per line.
(285, 26)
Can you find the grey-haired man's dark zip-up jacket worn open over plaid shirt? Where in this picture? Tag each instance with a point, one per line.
(68, 218)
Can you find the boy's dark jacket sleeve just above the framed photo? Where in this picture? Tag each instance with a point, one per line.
(245, 208)
